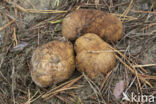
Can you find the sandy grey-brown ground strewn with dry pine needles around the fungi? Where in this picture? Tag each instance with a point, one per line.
(29, 30)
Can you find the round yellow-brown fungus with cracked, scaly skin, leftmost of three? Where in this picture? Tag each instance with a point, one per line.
(52, 63)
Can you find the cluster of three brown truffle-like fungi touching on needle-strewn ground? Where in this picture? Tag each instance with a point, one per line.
(55, 61)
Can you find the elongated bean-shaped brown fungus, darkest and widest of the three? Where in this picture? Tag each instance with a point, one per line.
(83, 21)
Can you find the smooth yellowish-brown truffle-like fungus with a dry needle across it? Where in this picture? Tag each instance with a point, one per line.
(94, 56)
